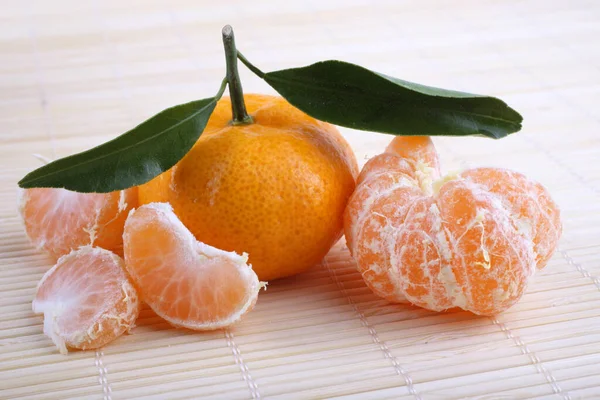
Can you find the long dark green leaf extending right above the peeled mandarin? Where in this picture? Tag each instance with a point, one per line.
(352, 96)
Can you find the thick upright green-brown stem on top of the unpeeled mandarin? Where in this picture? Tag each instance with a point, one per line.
(238, 107)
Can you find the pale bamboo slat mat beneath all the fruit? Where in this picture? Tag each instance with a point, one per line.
(73, 74)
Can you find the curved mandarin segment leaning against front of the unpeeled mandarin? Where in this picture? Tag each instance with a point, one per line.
(188, 283)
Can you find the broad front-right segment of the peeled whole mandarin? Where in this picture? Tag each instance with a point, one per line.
(495, 260)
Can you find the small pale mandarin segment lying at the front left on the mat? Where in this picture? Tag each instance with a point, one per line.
(87, 299)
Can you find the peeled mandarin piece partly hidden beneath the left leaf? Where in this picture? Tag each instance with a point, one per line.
(58, 220)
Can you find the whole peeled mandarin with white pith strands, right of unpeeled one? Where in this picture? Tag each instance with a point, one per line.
(471, 240)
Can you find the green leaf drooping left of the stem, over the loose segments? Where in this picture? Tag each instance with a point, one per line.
(133, 158)
